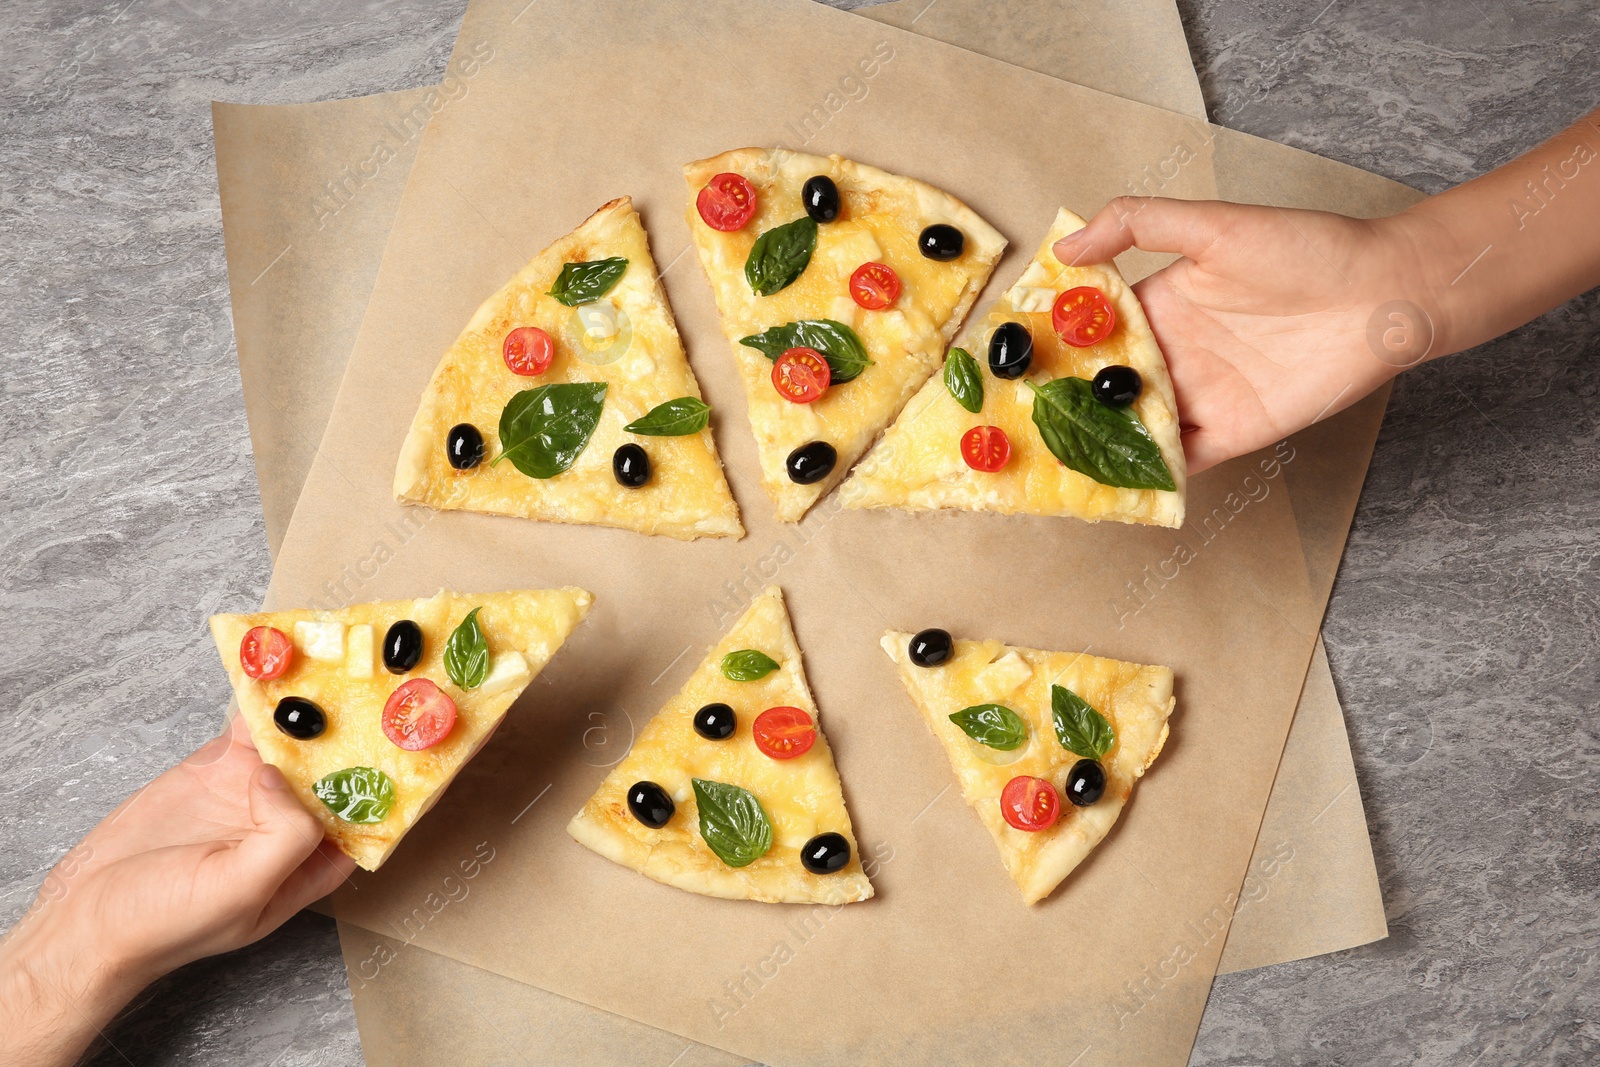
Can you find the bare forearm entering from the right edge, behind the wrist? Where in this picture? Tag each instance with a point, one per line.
(1508, 247)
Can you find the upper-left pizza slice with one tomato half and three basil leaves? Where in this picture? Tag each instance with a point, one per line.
(569, 399)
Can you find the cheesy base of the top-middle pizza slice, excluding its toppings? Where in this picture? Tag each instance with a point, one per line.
(881, 222)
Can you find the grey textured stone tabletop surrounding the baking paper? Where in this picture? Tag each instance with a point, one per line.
(1463, 631)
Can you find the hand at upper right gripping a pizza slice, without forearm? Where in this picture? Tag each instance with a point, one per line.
(1265, 322)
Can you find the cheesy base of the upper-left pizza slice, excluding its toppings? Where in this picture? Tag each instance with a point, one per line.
(626, 340)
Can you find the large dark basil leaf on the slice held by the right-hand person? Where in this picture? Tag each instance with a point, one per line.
(1106, 444)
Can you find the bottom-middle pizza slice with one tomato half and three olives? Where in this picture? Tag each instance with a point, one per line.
(730, 791)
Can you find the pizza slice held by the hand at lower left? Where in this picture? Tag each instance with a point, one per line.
(370, 711)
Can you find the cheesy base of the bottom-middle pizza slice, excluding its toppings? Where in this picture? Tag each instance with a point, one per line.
(802, 797)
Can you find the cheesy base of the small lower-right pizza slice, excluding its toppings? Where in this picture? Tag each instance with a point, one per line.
(1137, 701)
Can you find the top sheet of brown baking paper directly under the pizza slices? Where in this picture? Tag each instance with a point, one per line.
(548, 913)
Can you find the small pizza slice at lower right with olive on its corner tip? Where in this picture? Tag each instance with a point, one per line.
(1047, 746)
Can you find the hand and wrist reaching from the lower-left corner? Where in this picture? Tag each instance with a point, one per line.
(207, 858)
